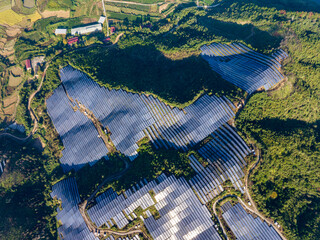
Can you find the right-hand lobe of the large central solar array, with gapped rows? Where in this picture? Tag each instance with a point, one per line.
(174, 128)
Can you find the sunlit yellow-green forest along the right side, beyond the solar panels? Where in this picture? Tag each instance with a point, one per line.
(284, 123)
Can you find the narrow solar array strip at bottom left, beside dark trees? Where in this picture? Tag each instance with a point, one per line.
(73, 225)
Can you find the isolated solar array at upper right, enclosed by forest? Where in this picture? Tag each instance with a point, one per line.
(244, 67)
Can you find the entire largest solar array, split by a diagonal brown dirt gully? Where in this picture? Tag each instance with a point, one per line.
(129, 117)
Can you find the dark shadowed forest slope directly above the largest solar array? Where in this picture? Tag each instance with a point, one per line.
(144, 69)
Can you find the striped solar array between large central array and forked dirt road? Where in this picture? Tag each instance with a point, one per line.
(225, 154)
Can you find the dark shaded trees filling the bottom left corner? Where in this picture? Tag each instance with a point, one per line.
(25, 210)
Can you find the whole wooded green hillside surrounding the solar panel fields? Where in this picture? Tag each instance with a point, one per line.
(164, 60)
